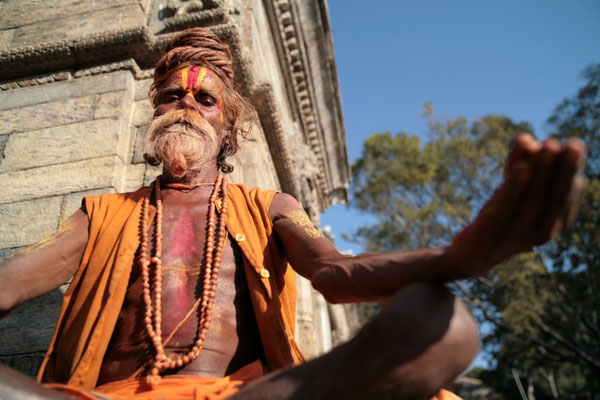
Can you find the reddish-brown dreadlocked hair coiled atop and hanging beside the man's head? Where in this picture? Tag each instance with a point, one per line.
(201, 47)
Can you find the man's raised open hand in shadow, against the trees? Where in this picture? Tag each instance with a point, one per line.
(537, 200)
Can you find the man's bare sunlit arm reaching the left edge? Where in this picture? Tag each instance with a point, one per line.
(45, 265)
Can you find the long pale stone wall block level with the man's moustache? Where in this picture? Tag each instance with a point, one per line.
(61, 144)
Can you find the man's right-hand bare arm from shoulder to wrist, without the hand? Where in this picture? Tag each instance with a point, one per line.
(345, 279)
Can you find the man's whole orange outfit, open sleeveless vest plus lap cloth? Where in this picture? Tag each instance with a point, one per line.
(93, 301)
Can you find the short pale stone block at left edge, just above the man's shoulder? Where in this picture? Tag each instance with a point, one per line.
(26, 222)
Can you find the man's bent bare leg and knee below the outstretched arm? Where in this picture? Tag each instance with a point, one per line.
(421, 341)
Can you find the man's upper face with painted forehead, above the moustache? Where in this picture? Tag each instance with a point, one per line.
(196, 88)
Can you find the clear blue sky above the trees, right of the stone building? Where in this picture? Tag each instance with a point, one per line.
(471, 58)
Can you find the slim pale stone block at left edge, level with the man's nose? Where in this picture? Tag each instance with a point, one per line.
(55, 113)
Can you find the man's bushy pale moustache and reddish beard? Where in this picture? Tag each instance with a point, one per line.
(183, 141)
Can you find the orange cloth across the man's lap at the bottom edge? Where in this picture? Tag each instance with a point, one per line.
(180, 387)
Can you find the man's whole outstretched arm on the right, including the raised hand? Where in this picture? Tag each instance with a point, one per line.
(537, 200)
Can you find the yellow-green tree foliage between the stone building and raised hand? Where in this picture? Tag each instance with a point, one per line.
(422, 193)
